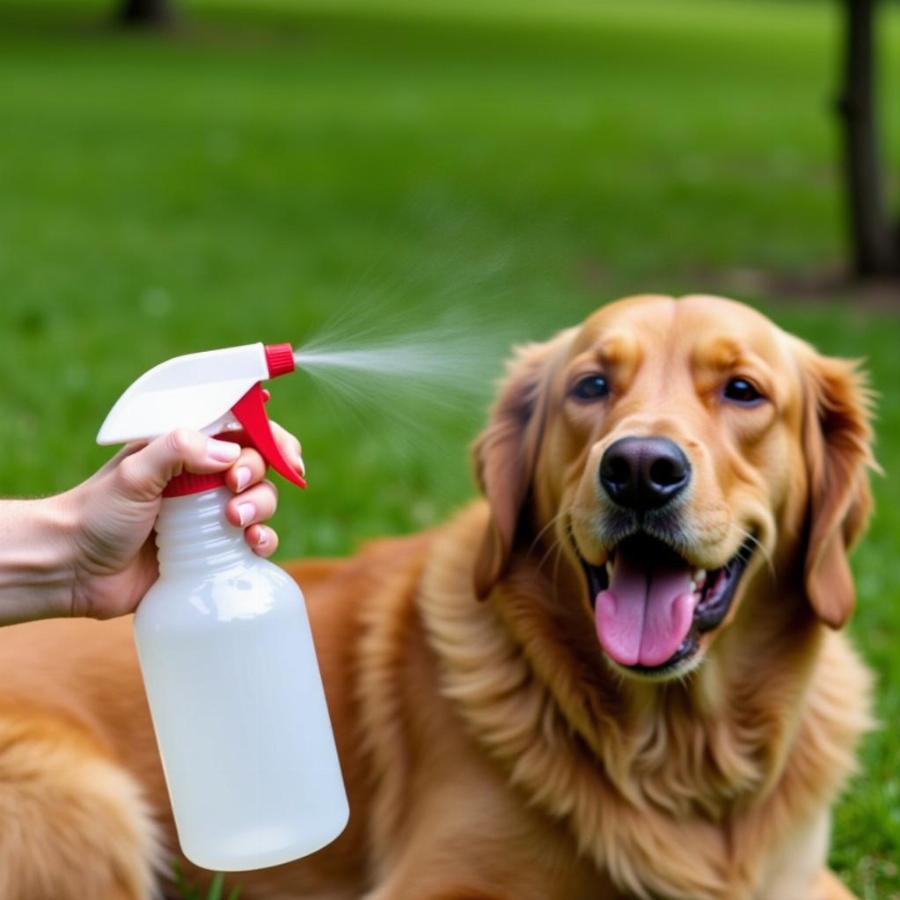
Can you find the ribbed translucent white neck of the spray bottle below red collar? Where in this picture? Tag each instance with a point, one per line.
(192, 533)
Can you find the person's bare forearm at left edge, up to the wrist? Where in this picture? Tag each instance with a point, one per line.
(36, 571)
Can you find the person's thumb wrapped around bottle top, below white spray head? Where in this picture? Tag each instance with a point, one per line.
(144, 474)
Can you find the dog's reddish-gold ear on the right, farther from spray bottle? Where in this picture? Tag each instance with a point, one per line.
(837, 445)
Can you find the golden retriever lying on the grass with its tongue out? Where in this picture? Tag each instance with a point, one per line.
(618, 674)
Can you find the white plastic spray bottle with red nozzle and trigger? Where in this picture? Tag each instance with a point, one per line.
(223, 637)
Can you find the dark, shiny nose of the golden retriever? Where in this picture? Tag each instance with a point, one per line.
(643, 473)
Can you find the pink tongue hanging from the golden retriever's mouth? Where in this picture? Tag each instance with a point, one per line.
(646, 612)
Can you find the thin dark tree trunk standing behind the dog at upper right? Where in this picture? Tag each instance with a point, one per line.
(873, 238)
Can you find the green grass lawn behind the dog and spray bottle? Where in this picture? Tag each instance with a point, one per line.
(275, 162)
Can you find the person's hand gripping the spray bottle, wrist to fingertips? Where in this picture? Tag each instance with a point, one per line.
(111, 515)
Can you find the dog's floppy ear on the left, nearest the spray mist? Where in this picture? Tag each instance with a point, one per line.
(504, 457)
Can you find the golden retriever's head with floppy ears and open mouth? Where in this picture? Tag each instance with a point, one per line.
(671, 448)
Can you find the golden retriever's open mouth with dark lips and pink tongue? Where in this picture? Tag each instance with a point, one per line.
(651, 605)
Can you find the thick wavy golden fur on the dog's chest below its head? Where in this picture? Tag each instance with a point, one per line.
(664, 798)
